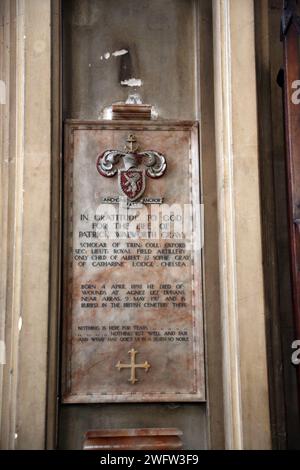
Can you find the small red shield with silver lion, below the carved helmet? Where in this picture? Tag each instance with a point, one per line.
(132, 183)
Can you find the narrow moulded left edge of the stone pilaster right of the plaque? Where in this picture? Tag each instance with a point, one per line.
(226, 207)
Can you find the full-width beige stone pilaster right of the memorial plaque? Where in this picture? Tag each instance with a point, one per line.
(245, 382)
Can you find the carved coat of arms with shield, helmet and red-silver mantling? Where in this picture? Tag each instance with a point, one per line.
(132, 178)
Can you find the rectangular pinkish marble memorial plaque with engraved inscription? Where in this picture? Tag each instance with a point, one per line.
(132, 313)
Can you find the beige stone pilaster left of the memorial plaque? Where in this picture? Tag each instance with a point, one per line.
(25, 214)
